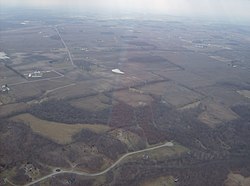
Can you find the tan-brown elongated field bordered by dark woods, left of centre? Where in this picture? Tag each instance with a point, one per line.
(58, 132)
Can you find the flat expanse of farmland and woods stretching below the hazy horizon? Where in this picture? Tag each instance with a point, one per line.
(177, 115)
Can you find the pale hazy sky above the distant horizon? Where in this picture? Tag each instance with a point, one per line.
(225, 8)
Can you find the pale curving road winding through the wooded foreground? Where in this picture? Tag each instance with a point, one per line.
(167, 144)
